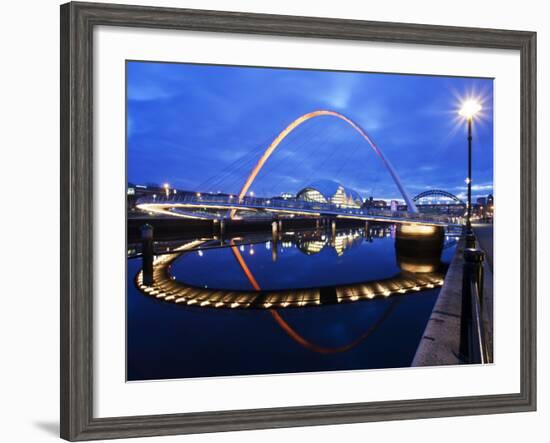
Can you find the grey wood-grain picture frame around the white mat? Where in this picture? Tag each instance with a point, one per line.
(77, 217)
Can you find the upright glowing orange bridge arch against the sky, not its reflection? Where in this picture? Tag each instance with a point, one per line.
(275, 143)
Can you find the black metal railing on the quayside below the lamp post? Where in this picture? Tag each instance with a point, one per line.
(473, 340)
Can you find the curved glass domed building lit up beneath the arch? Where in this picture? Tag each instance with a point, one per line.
(329, 191)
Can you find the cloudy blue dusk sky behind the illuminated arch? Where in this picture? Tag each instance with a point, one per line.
(202, 128)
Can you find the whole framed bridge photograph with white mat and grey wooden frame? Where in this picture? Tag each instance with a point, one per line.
(273, 221)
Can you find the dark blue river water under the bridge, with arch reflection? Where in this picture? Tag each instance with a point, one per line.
(179, 340)
